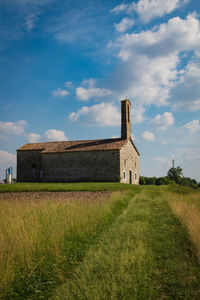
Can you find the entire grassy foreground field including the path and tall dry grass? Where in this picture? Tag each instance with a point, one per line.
(140, 243)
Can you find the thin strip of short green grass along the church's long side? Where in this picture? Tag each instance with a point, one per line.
(63, 187)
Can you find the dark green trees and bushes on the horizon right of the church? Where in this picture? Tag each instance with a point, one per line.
(174, 175)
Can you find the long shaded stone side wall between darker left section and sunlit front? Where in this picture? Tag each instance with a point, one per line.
(81, 166)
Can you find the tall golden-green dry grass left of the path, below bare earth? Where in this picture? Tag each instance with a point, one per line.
(36, 233)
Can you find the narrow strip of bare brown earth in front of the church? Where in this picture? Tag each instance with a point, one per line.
(83, 196)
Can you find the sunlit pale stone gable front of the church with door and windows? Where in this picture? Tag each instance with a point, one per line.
(129, 164)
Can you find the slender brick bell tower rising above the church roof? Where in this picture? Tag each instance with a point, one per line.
(125, 119)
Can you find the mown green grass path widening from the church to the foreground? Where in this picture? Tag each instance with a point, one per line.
(145, 254)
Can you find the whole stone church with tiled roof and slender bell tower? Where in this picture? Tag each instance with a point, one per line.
(111, 160)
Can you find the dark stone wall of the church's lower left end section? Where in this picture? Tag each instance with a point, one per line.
(29, 166)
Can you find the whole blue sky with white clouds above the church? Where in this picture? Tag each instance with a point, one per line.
(65, 66)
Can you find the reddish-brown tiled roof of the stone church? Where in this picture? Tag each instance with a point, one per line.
(74, 146)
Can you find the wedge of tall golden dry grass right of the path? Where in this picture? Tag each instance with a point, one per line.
(187, 208)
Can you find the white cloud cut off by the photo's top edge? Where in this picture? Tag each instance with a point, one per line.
(149, 9)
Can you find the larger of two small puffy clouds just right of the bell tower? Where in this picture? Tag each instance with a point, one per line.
(162, 122)
